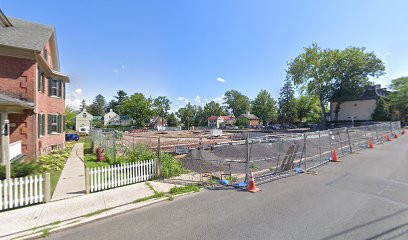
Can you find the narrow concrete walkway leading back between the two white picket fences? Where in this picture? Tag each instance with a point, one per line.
(72, 180)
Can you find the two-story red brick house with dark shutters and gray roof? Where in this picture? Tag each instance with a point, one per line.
(32, 90)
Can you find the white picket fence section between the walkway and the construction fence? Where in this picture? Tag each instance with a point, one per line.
(102, 178)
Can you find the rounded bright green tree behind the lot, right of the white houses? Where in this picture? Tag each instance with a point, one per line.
(138, 108)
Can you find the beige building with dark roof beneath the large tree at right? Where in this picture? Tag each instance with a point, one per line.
(360, 107)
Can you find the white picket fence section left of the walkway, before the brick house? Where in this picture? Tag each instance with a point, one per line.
(18, 192)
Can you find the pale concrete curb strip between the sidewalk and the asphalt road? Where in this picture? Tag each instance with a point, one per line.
(82, 220)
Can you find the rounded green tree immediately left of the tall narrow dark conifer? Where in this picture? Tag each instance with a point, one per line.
(264, 106)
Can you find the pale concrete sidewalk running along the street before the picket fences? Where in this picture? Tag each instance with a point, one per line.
(27, 218)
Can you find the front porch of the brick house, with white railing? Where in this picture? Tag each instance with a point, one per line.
(13, 113)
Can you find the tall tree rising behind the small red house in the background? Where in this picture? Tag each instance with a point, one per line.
(237, 102)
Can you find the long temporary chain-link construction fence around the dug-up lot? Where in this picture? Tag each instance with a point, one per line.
(268, 156)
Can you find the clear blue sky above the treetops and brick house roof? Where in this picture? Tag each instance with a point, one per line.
(197, 50)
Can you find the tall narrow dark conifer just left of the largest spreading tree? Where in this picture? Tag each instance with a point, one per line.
(286, 102)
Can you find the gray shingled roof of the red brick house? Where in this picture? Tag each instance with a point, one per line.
(24, 34)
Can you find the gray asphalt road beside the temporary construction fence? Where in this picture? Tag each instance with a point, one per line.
(363, 197)
